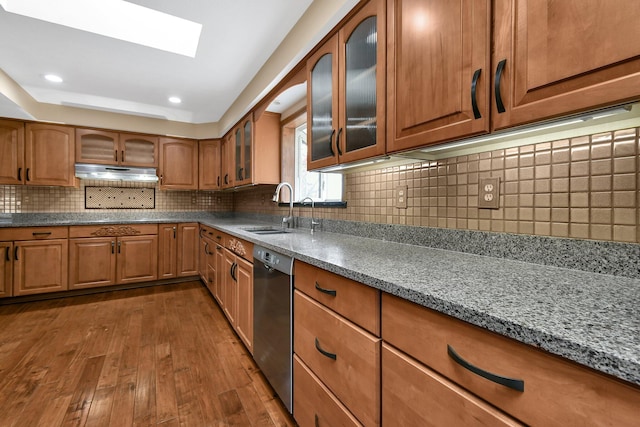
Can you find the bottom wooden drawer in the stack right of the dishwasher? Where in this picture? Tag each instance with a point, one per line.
(314, 404)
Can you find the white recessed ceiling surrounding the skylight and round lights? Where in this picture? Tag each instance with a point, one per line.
(101, 73)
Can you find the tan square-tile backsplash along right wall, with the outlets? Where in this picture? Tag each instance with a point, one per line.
(585, 188)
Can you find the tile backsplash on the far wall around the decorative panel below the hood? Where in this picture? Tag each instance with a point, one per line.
(27, 199)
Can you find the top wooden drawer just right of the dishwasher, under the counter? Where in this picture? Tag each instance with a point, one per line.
(355, 301)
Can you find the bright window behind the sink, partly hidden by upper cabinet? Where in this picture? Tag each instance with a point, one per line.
(321, 187)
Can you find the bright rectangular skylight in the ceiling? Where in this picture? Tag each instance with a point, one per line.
(117, 19)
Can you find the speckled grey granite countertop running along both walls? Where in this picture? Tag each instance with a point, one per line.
(590, 318)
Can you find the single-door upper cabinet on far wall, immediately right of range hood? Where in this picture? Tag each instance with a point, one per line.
(178, 164)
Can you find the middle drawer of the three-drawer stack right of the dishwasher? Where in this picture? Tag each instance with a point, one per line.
(353, 375)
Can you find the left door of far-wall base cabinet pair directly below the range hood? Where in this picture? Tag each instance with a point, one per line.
(92, 262)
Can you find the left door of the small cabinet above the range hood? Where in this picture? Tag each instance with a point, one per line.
(96, 146)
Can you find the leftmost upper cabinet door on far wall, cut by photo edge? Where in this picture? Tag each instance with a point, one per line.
(12, 170)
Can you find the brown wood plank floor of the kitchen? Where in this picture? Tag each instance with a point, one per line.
(162, 355)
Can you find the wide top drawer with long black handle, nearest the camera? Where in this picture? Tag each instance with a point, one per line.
(570, 394)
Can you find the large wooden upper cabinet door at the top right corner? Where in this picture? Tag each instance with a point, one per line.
(564, 56)
